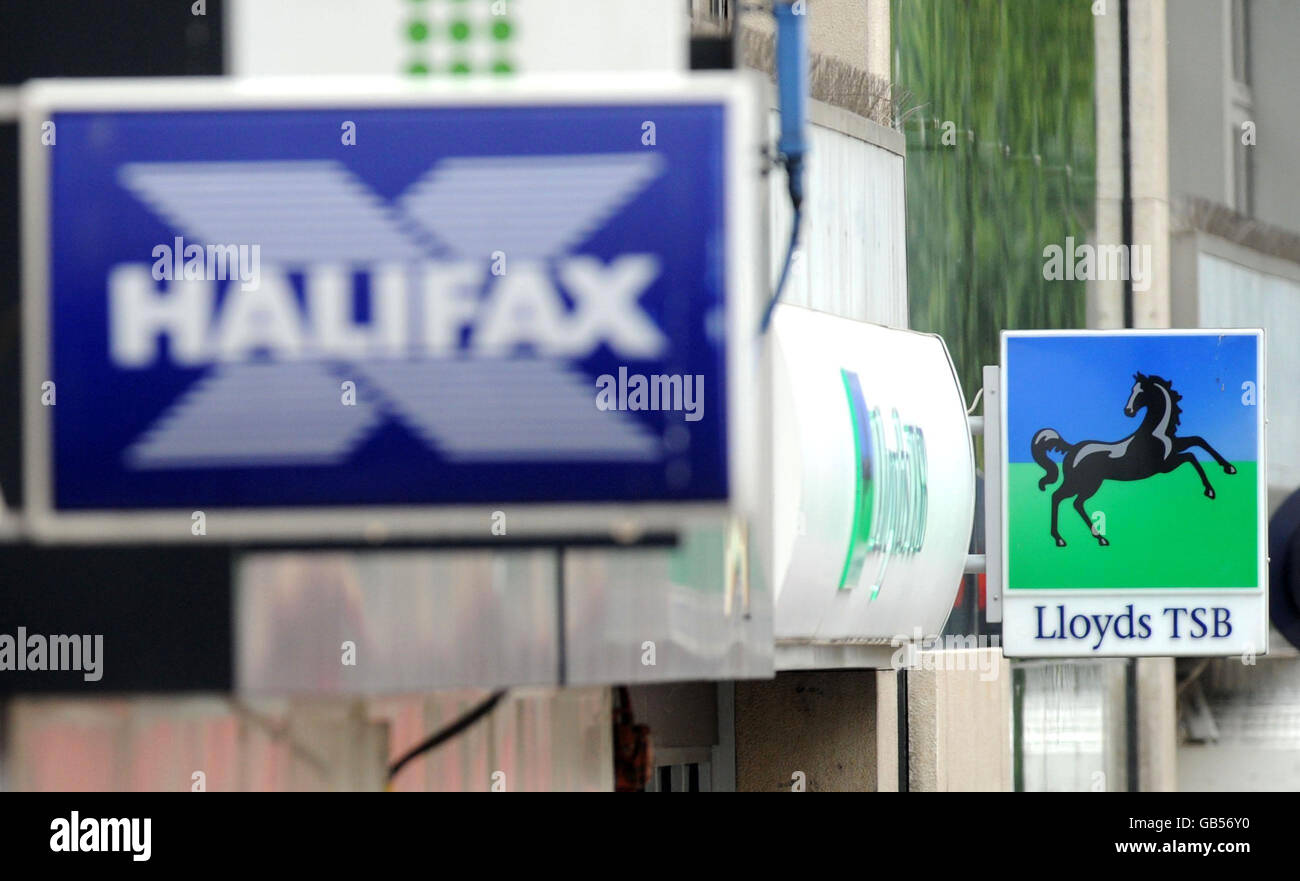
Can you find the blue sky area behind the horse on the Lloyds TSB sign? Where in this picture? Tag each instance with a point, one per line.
(1080, 387)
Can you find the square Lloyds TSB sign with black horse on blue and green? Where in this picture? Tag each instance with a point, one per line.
(1134, 493)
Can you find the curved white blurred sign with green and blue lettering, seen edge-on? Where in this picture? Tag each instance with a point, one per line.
(874, 478)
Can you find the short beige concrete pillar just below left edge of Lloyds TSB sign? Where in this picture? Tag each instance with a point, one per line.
(960, 722)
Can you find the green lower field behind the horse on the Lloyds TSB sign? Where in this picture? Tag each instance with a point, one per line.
(1159, 530)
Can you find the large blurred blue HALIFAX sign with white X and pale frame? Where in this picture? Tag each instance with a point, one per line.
(380, 305)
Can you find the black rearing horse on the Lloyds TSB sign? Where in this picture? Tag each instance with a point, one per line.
(1151, 450)
